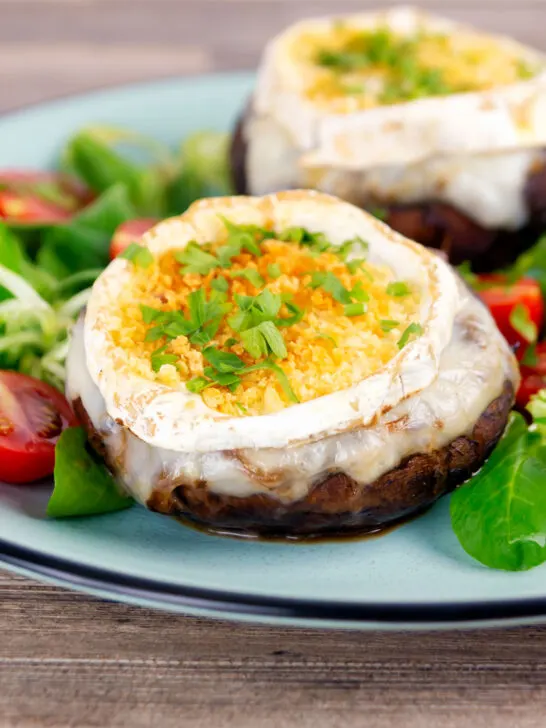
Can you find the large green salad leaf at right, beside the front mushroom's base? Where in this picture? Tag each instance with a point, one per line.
(499, 517)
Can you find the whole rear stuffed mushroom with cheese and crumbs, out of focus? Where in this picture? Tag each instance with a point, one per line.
(439, 127)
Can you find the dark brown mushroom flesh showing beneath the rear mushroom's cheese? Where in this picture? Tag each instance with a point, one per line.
(436, 224)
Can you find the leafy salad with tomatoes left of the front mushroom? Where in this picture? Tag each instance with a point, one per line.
(58, 231)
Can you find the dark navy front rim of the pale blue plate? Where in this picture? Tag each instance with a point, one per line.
(226, 603)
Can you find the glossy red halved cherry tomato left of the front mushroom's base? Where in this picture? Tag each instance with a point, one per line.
(32, 416)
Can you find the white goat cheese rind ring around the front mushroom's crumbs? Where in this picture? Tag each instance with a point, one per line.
(174, 418)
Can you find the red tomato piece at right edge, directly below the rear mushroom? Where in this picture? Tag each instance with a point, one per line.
(502, 298)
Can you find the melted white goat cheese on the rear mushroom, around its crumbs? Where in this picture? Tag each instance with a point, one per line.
(472, 150)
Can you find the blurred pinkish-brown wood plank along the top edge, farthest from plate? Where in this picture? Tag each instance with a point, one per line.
(243, 23)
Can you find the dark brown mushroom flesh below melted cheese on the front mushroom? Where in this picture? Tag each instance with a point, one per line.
(336, 503)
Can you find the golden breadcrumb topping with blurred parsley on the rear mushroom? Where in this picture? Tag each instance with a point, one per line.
(348, 68)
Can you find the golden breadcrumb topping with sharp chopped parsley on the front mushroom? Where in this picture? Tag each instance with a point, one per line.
(254, 323)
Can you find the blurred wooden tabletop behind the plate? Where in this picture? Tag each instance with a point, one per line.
(51, 48)
